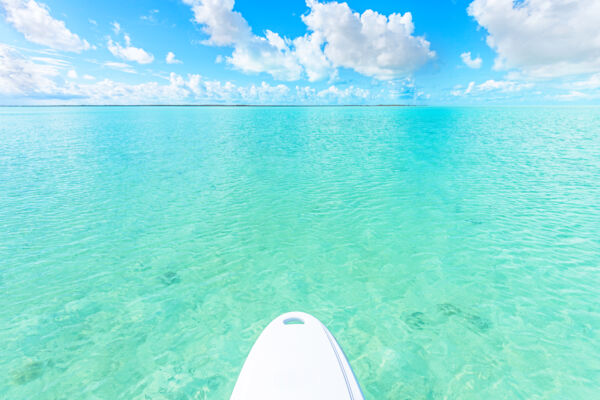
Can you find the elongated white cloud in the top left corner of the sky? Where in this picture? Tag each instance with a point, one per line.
(34, 21)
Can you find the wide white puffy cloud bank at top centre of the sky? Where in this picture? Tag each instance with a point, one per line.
(383, 47)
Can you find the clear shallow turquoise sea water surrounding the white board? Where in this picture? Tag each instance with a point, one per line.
(453, 252)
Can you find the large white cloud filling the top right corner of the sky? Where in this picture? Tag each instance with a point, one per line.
(543, 38)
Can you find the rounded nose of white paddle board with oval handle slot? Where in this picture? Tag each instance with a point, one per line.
(296, 358)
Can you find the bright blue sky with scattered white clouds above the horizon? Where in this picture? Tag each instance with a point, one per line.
(300, 52)
